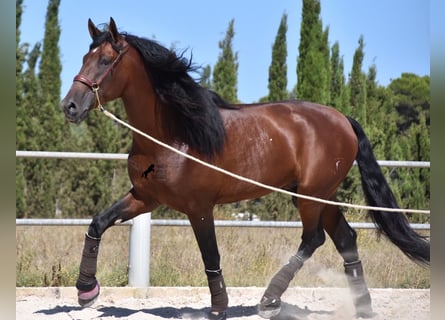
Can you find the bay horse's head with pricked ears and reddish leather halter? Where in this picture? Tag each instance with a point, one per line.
(97, 81)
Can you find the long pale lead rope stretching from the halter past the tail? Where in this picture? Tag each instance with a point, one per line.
(259, 184)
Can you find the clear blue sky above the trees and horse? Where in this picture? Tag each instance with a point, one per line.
(396, 33)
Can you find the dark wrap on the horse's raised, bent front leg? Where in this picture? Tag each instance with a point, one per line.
(87, 274)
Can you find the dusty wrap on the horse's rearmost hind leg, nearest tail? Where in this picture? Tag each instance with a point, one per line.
(359, 289)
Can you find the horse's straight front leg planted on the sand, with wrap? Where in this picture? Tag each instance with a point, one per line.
(204, 229)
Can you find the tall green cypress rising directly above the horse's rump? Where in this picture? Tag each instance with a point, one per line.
(313, 59)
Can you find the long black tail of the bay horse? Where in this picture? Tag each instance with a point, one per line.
(395, 226)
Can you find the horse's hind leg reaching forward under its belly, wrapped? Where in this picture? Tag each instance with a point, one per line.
(312, 238)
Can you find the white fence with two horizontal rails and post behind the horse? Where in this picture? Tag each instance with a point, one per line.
(140, 227)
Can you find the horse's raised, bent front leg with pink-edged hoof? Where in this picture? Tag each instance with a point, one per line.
(124, 209)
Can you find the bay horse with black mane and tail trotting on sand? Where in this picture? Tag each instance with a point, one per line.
(290, 145)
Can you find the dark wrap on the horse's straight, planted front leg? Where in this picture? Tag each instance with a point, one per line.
(218, 292)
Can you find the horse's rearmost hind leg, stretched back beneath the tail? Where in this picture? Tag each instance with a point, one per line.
(344, 238)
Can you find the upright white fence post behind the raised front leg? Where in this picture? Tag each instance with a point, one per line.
(139, 256)
